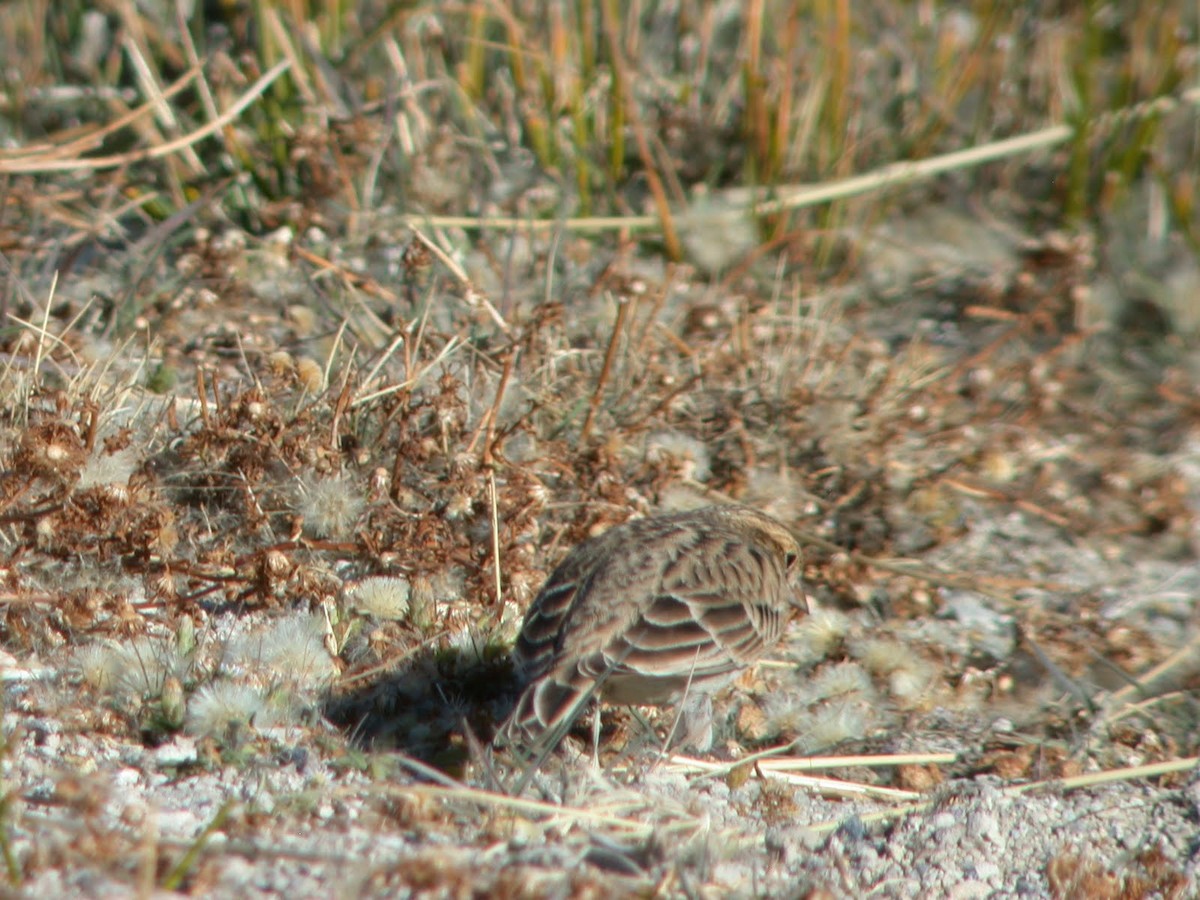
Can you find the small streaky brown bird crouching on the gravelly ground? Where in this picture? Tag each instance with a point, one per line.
(652, 611)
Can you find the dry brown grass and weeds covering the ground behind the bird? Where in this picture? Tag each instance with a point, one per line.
(304, 298)
